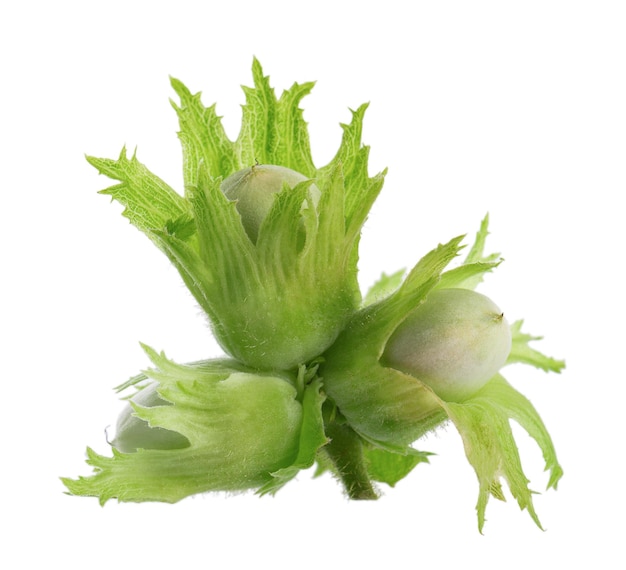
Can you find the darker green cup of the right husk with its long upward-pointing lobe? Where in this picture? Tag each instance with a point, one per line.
(383, 405)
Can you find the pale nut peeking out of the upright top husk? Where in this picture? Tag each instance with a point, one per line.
(254, 191)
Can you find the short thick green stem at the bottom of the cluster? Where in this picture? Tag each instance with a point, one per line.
(345, 450)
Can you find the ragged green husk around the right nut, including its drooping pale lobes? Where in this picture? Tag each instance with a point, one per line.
(392, 409)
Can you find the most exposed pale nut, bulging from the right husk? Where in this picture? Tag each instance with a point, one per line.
(454, 342)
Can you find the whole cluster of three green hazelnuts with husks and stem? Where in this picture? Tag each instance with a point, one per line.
(314, 373)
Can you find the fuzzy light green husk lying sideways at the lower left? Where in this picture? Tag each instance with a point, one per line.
(245, 431)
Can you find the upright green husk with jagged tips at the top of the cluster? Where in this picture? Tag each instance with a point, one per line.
(273, 304)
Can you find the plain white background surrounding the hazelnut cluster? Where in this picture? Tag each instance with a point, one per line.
(515, 108)
